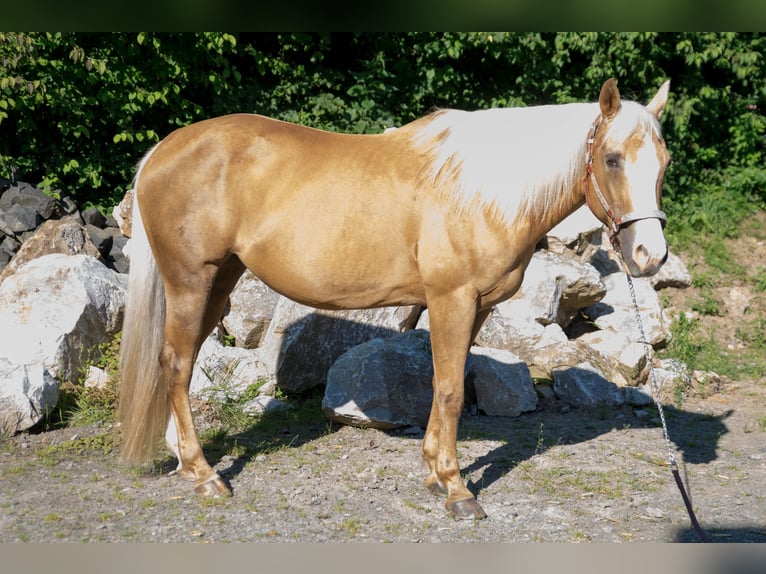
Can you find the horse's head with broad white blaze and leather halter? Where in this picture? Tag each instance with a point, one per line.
(626, 163)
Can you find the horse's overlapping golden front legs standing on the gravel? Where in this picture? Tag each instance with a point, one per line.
(453, 320)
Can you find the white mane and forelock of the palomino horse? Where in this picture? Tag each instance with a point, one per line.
(515, 161)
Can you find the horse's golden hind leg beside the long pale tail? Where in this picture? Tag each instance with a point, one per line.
(194, 307)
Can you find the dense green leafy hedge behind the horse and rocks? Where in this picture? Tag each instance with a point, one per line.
(78, 110)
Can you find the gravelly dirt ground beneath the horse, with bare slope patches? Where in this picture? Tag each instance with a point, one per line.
(555, 475)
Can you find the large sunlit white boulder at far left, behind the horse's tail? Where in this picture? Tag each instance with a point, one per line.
(54, 313)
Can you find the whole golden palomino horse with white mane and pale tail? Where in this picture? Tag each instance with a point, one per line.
(443, 212)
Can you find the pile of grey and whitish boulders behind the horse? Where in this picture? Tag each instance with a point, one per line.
(570, 331)
